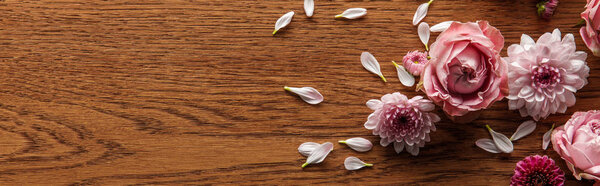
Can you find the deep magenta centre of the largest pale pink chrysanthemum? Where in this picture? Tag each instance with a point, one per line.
(545, 77)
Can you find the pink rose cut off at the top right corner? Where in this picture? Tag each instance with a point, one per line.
(589, 33)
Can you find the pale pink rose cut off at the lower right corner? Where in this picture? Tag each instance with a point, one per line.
(578, 143)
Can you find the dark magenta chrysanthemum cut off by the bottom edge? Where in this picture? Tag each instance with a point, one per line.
(537, 170)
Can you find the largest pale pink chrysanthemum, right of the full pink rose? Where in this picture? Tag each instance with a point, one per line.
(545, 75)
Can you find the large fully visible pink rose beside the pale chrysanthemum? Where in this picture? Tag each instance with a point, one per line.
(466, 72)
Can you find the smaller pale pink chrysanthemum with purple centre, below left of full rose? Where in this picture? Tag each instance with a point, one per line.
(402, 121)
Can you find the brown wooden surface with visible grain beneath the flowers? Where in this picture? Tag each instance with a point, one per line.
(190, 92)
